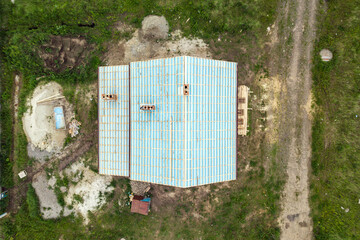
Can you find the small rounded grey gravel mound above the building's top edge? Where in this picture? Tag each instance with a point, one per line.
(155, 27)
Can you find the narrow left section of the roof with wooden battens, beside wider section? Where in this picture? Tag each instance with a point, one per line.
(114, 121)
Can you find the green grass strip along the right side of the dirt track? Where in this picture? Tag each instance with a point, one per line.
(336, 145)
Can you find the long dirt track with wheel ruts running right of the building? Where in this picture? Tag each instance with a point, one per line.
(296, 39)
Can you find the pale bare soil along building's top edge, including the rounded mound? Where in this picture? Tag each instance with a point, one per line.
(144, 44)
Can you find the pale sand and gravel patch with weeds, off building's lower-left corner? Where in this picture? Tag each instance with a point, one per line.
(86, 192)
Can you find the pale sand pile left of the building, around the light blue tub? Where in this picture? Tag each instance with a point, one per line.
(38, 121)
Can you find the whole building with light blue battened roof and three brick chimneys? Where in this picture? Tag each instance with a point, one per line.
(169, 121)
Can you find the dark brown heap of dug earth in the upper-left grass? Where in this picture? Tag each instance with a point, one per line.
(62, 53)
